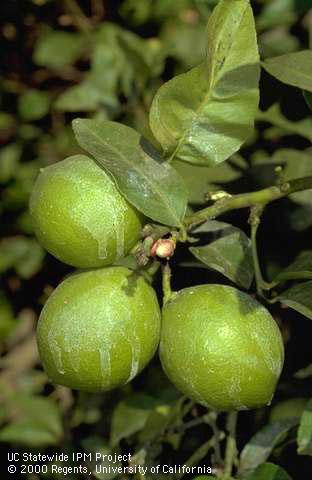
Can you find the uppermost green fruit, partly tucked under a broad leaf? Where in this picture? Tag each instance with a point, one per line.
(80, 217)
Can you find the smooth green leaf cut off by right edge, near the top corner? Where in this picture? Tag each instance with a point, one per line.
(293, 69)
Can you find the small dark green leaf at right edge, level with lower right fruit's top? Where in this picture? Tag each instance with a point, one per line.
(299, 298)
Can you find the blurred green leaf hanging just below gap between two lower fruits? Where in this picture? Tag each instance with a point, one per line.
(130, 416)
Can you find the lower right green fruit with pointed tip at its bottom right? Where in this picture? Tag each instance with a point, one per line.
(221, 348)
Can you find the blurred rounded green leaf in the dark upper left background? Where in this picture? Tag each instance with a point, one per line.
(56, 49)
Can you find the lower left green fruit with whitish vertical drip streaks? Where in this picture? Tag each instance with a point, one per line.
(99, 329)
